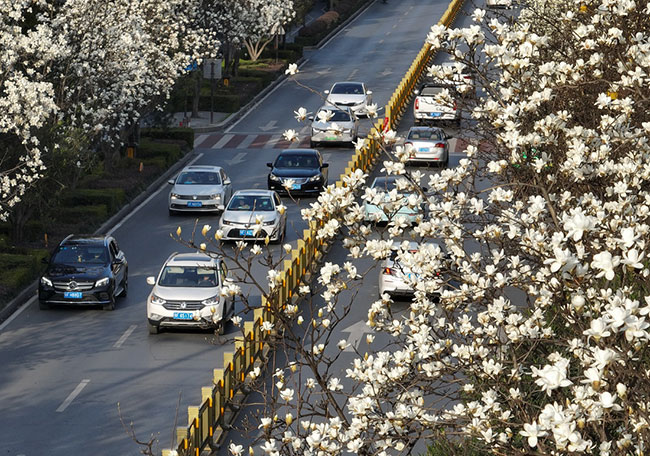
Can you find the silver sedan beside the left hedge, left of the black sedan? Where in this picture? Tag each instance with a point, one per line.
(199, 188)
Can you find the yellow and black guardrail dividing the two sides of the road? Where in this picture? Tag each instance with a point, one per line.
(209, 418)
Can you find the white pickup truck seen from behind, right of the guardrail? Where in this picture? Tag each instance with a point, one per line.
(428, 109)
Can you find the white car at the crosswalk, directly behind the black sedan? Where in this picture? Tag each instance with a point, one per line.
(334, 125)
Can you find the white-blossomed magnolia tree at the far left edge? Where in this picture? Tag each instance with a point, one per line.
(27, 99)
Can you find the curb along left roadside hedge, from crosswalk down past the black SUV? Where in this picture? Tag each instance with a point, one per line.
(30, 291)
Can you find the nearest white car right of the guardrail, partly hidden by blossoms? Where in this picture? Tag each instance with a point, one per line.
(397, 279)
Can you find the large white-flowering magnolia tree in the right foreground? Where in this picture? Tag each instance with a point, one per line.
(528, 330)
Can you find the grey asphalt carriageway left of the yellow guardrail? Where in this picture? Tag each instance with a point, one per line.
(66, 370)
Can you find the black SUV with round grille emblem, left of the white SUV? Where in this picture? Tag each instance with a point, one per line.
(84, 270)
